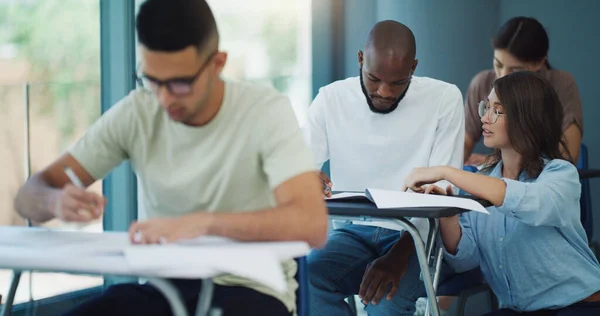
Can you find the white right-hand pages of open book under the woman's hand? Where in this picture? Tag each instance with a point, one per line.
(397, 199)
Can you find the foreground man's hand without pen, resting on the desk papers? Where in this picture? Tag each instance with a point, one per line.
(167, 230)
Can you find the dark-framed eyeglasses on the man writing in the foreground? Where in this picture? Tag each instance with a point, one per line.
(181, 86)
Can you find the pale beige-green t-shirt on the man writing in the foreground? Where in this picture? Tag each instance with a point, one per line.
(232, 164)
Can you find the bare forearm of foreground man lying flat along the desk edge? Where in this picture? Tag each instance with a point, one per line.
(286, 223)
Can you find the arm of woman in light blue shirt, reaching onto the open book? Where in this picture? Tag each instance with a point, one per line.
(551, 200)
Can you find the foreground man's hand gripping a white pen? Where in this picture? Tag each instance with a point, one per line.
(73, 204)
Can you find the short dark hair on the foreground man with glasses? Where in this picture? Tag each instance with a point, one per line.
(173, 25)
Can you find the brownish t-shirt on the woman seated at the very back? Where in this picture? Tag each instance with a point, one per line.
(562, 82)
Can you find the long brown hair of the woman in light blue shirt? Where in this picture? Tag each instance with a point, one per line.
(534, 118)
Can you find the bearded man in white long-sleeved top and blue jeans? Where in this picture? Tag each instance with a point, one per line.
(374, 129)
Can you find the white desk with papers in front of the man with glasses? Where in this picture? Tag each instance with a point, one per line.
(24, 249)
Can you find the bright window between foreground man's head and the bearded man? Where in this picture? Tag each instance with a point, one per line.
(268, 41)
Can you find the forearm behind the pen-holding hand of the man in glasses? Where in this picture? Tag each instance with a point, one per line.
(35, 200)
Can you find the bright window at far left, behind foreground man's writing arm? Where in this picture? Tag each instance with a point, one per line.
(50, 61)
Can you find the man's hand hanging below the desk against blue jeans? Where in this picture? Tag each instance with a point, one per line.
(382, 273)
